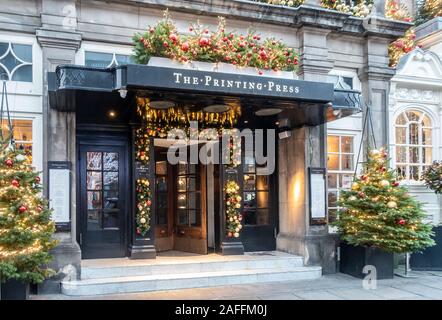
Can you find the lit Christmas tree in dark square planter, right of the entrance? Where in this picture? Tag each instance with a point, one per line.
(379, 218)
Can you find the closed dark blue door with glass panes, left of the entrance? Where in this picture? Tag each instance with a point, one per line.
(103, 206)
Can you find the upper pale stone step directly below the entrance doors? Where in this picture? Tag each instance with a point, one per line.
(152, 267)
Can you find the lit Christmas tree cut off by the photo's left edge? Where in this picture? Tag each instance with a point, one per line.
(25, 225)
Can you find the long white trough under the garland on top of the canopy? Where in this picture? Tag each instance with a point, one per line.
(218, 67)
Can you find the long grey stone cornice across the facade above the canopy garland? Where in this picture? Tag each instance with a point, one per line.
(296, 17)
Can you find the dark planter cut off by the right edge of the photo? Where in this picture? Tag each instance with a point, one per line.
(430, 258)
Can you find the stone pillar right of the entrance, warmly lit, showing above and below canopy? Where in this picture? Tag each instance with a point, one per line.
(305, 148)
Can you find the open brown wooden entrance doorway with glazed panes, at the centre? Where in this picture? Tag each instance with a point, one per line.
(180, 204)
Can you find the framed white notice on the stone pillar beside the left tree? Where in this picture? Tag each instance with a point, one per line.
(59, 193)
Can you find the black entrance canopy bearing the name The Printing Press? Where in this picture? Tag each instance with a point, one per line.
(264, 101)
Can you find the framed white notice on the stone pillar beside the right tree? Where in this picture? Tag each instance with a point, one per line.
(317, 196)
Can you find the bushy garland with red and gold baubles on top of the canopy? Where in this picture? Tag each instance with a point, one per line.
(202, 44)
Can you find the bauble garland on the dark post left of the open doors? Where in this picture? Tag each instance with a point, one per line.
(143, 193)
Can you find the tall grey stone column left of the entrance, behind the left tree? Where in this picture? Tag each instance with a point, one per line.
(59, 43)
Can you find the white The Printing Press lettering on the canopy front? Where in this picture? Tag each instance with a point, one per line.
(210, 81)
